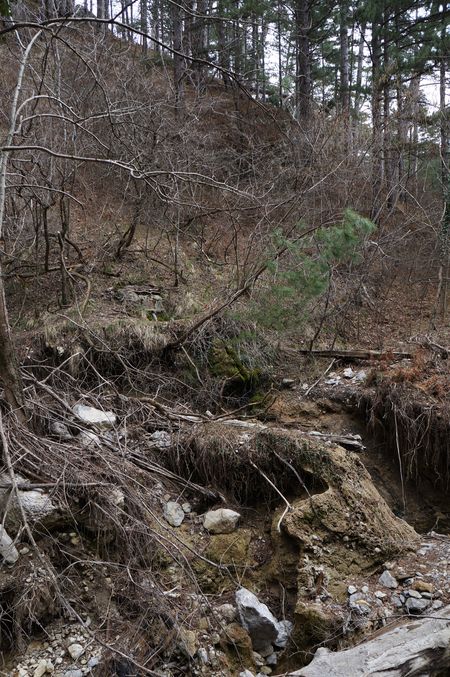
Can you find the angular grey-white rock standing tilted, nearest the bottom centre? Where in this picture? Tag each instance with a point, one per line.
(257, 619)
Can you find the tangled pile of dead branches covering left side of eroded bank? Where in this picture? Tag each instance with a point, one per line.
(106, 488)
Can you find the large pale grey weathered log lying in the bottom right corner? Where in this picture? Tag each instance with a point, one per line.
(413, 644)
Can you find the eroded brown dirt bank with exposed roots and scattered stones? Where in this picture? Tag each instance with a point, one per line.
(116, 571)
